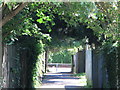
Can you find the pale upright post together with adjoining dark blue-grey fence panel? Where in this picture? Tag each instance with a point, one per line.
(96, 72)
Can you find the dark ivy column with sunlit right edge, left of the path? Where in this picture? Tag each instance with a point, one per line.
(30, 50)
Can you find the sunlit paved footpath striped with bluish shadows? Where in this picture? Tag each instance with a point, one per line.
(63, 80)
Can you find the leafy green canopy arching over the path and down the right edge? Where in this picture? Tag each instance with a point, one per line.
(55, 23)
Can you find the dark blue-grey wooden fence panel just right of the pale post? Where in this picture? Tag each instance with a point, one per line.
(99, 74)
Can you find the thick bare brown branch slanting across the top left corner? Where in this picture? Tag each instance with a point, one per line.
(12, 14)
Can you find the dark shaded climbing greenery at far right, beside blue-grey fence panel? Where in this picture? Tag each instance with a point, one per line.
(112, 56)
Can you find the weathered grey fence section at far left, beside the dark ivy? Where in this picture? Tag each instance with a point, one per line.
(10, 67)
